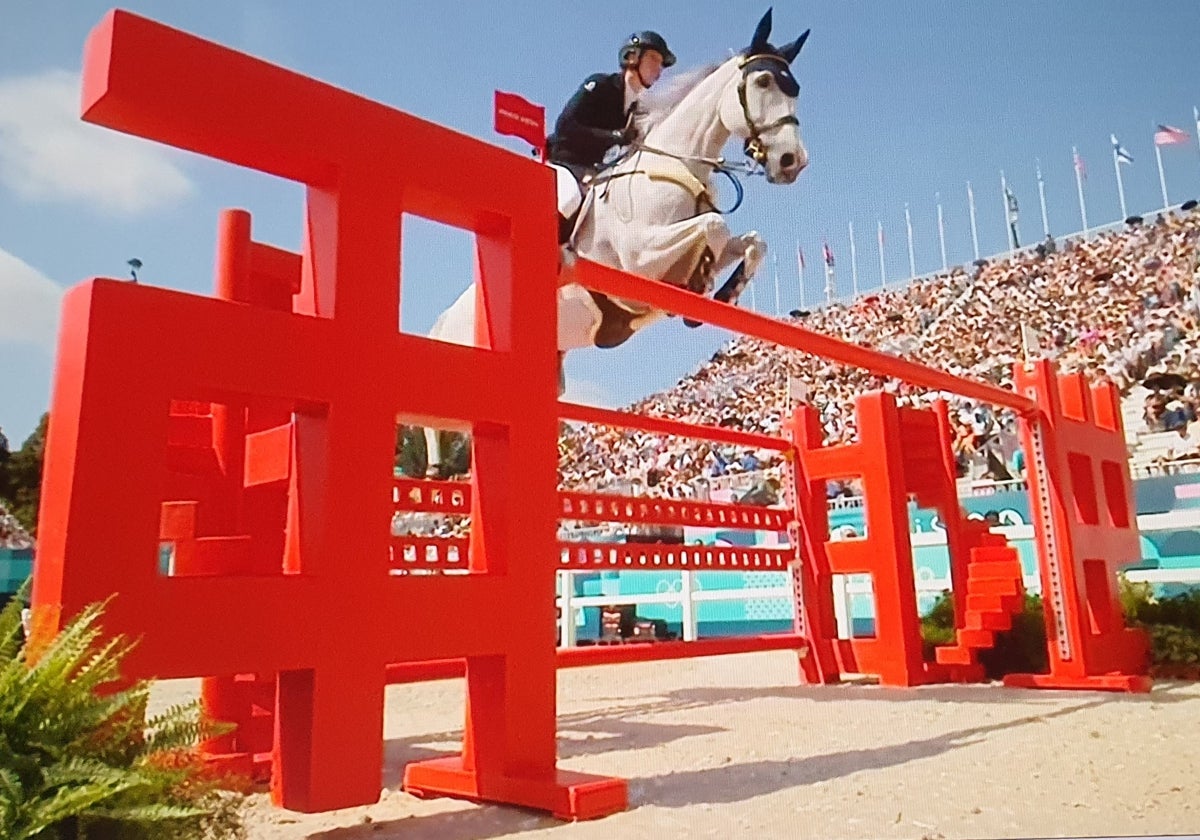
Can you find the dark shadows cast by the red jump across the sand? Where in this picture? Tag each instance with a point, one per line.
(626, 729)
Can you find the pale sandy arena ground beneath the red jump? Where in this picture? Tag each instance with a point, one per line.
(733, 747)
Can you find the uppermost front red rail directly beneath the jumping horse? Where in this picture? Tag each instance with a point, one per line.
(745, 322)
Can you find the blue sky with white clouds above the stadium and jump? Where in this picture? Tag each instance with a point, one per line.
(899, 103)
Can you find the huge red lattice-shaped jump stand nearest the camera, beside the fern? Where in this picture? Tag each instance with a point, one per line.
(340, 367)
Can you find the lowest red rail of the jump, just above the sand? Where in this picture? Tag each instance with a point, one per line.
(611, 655)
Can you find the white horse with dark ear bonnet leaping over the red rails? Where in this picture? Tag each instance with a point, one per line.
(655, 214)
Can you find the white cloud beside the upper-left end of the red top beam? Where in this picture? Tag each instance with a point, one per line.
(47, 153)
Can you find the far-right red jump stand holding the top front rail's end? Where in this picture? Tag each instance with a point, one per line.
(1083, 505)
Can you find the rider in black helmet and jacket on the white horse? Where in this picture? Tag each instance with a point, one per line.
(599, 117)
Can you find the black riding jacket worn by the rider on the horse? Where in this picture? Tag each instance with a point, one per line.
(585, 130)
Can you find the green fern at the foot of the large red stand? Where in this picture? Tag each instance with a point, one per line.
(81, 761)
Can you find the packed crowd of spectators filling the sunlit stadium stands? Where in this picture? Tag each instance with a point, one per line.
(1118, 307)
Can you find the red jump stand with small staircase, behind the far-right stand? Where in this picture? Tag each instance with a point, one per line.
(901, 453)
